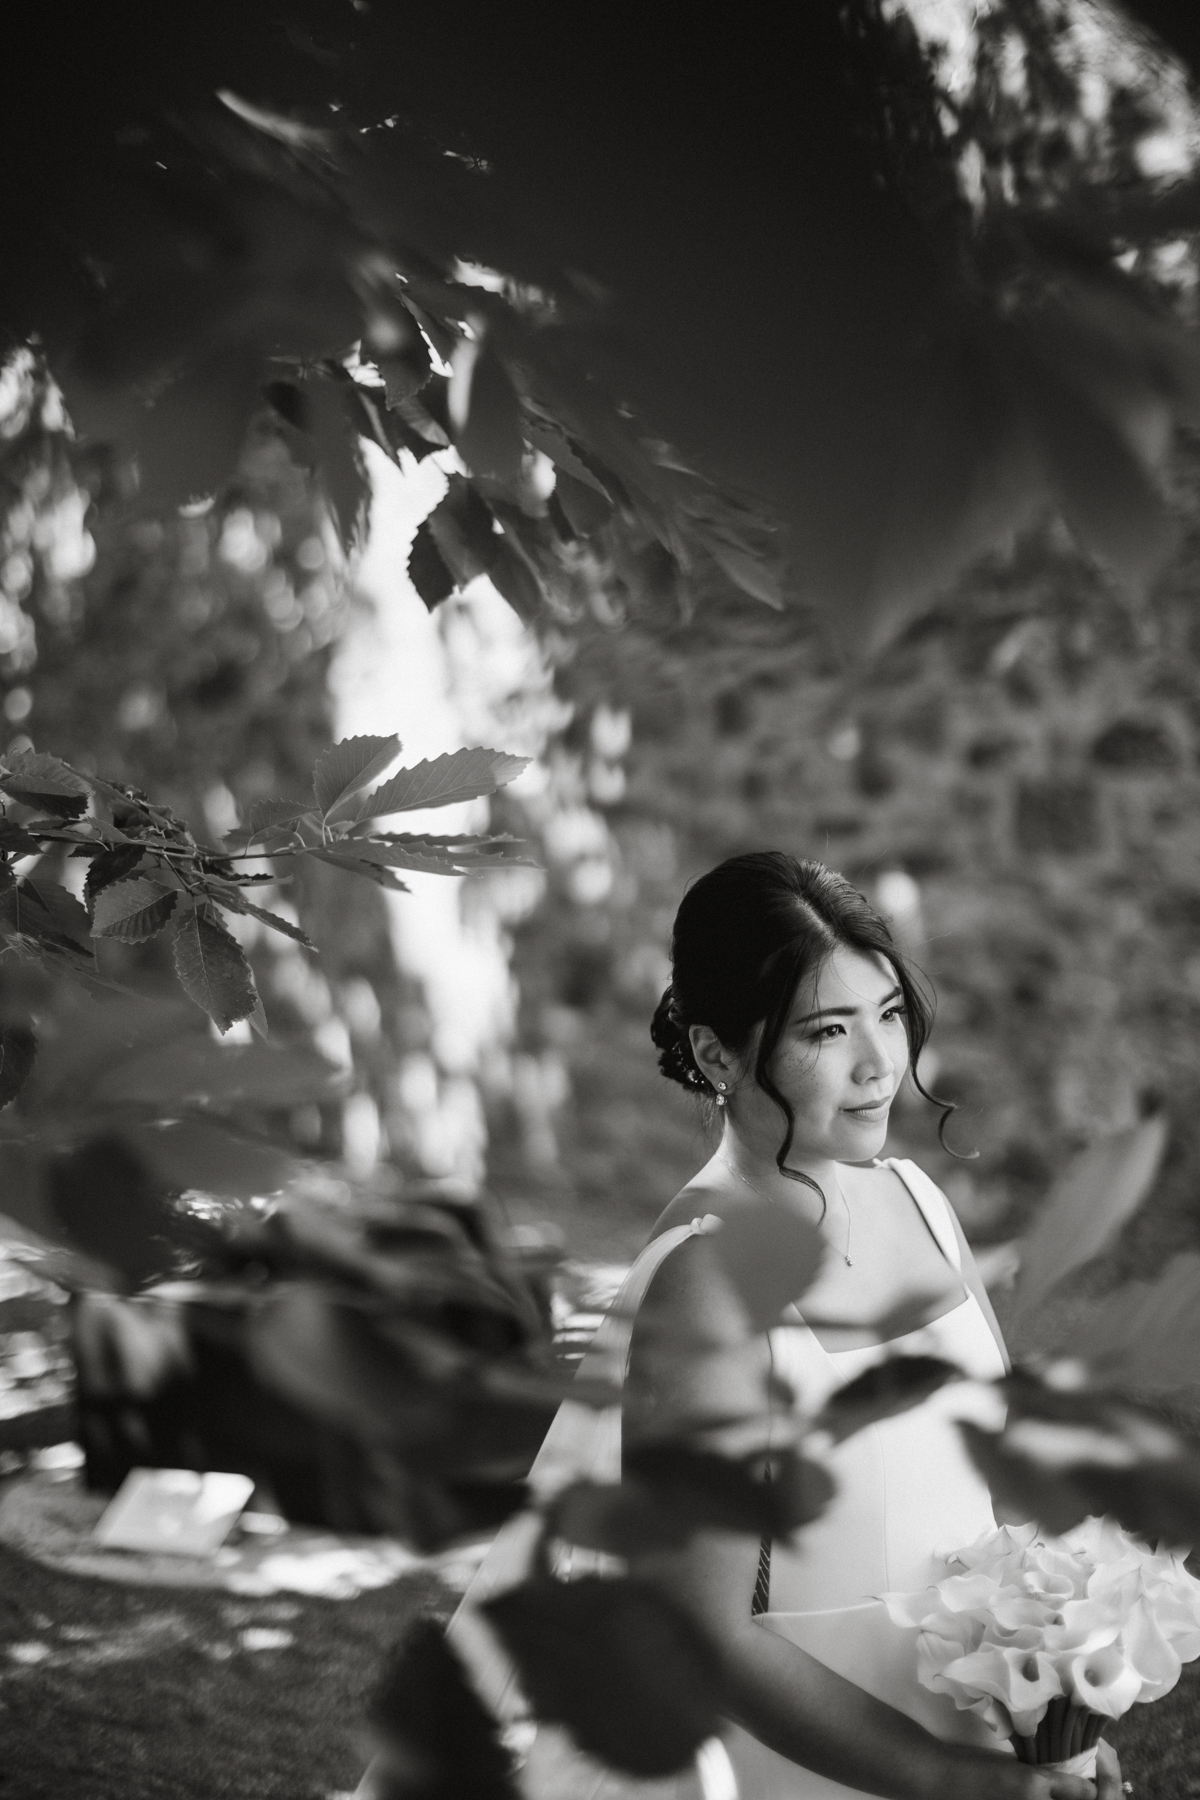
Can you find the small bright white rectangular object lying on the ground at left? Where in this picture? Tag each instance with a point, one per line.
(174, 1511)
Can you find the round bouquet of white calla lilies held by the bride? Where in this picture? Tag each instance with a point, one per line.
(1052, 1637)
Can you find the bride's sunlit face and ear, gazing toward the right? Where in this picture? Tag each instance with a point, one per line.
(839, 1061)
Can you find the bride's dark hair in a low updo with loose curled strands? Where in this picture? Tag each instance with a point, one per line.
(746, 937)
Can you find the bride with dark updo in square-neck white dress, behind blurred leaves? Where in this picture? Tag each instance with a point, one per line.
(794, 1014)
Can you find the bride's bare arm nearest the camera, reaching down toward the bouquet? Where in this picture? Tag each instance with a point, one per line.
(694, 1360)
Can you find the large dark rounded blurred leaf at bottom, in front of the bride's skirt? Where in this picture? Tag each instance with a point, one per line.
(618, 1664)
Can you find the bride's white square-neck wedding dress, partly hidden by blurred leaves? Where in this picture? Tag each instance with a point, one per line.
(906, 1491)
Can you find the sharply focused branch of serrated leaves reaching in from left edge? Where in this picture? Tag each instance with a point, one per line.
(148, 874)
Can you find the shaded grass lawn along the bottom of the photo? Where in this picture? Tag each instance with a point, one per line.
(114, 1693)
